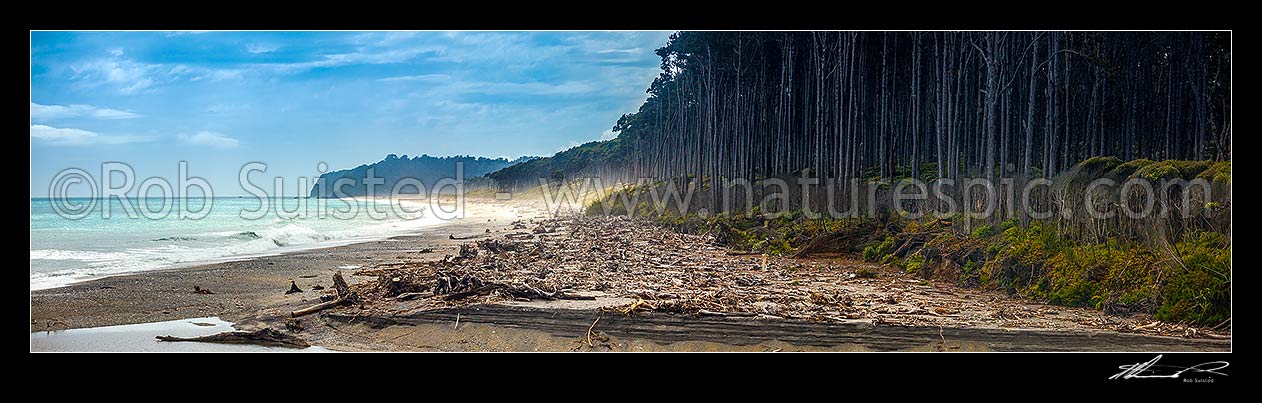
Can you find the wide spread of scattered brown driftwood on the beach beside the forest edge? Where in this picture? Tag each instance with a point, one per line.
(666, 272)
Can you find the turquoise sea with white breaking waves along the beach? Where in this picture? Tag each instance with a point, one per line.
(65, 251)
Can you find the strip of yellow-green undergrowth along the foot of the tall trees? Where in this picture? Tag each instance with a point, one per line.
(1184, 280)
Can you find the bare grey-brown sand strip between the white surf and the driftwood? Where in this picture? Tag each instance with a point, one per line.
(244, 286)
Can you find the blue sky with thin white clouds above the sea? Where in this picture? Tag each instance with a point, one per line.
(220, 100)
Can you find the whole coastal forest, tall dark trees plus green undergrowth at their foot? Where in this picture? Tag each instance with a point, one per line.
(868, 111)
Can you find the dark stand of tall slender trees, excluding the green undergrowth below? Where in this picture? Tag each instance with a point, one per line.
(841, 104)
